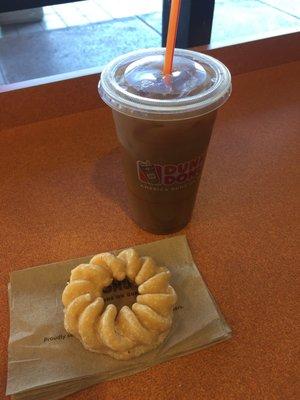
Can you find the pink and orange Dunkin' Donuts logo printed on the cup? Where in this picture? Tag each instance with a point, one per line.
(169, 174)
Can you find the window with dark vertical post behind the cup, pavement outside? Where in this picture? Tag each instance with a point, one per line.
(63, 36)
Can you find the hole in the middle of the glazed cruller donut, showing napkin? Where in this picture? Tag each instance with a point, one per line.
(120, 293)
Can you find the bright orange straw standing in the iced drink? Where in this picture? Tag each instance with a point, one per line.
(171, 38)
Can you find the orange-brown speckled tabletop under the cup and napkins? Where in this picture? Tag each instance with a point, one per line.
(62, 196)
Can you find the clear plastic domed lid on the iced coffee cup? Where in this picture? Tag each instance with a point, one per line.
(133, 84)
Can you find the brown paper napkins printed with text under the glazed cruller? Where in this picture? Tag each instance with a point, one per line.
(47, 363)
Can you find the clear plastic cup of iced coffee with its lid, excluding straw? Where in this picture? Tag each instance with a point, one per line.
(164, 125)
